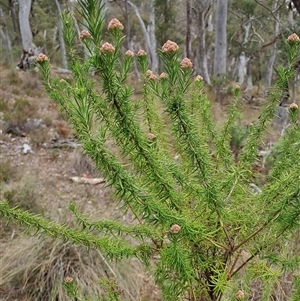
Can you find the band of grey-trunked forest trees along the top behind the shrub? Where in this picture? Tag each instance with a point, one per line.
(242, 39)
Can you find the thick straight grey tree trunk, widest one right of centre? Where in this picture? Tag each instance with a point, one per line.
(220, 40)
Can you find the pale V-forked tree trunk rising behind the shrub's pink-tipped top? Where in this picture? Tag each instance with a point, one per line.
(149, 36)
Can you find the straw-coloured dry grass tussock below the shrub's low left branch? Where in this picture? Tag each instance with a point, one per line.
(34, 268)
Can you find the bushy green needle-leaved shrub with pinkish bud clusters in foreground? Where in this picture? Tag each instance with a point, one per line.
(173, 168)
